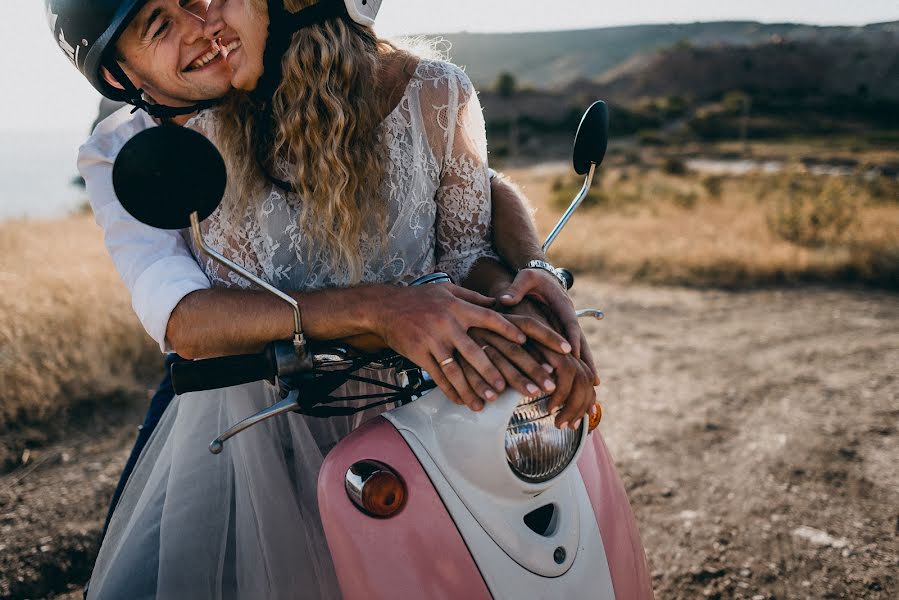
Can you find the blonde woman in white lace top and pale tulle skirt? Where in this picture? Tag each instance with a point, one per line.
(386, 155)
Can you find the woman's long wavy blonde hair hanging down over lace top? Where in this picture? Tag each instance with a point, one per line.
(321, 135)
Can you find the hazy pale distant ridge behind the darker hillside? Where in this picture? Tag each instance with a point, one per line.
(554, 59)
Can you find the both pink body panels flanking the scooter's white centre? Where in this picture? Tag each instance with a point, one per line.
(420, 553)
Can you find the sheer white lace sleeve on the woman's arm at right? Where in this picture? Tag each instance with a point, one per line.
(463, 197)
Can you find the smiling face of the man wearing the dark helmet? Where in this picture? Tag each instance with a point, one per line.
(165, 53)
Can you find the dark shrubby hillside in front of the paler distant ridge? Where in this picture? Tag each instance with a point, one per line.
(807, 82)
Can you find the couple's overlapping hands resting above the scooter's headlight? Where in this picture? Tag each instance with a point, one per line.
(475, 346)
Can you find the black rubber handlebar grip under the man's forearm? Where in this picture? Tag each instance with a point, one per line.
(215, 373)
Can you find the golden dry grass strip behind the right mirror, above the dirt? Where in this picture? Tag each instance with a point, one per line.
(732, 231)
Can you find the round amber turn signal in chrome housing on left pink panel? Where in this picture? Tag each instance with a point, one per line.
(375, 488)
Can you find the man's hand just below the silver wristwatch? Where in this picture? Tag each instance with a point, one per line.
(543, 287)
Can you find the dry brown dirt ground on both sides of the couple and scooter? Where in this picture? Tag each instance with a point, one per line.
(757, 433)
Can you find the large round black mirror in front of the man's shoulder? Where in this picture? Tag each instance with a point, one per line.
(164, 174)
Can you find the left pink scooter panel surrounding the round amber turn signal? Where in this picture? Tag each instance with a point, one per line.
(417, 553)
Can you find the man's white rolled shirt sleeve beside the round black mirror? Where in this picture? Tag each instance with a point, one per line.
(156, 265)
